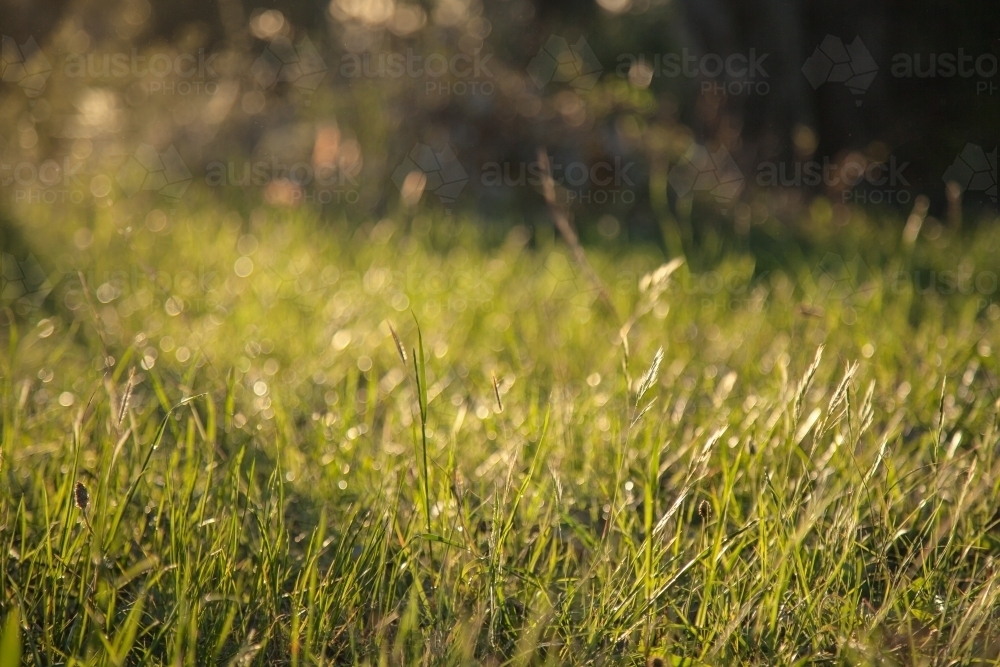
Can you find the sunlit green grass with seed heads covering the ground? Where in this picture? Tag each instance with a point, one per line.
(809, 473)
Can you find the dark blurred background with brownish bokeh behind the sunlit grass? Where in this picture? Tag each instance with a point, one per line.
(663, 119)
